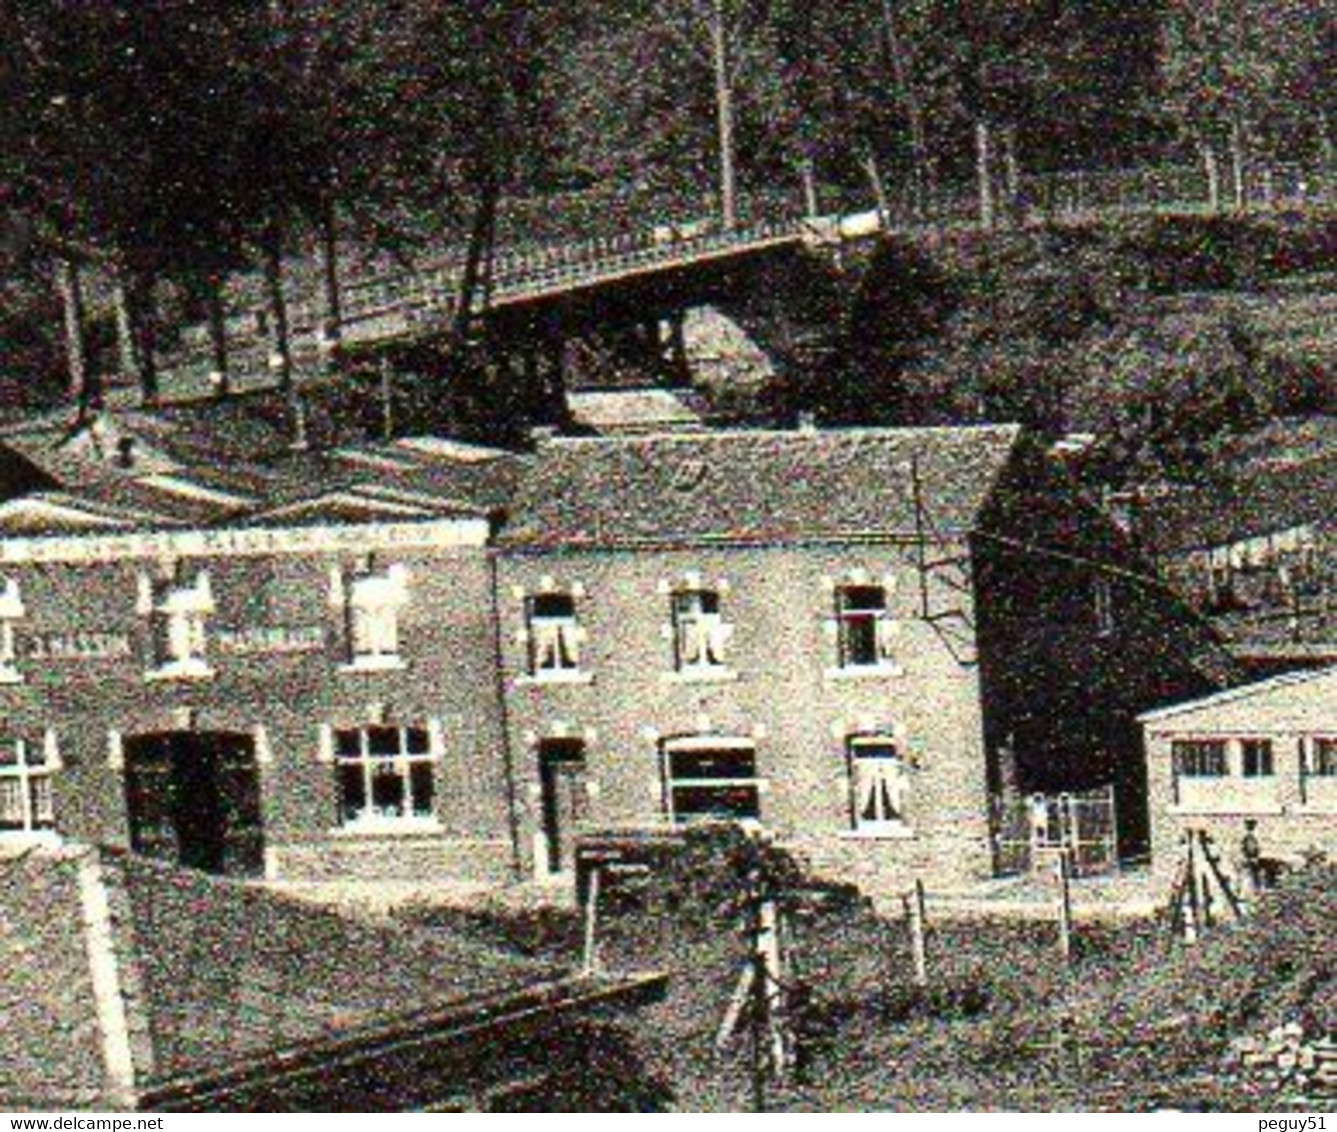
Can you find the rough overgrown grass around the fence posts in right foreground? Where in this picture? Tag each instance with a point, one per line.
(1138, 1022)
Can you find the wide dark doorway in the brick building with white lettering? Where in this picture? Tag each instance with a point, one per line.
(195, 800)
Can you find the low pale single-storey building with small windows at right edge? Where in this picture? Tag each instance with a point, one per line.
(1264, 753)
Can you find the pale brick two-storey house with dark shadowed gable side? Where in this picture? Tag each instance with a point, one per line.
(860, 640)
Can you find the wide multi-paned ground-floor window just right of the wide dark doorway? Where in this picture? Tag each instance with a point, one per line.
(387, 777)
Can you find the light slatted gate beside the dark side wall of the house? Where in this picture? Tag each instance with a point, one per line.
(1027, 832)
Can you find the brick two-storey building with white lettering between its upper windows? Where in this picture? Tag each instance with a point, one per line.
(251, 661)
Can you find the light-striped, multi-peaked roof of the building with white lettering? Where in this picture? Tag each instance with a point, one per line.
(228, 466)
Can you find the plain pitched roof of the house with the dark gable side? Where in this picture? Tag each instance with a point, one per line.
(756, 486)
